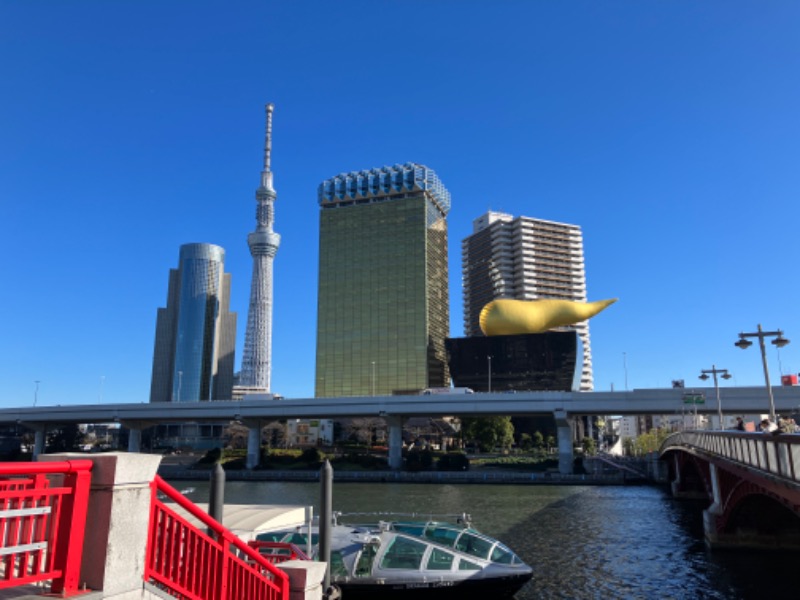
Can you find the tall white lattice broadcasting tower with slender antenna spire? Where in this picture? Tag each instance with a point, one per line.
(263, 242)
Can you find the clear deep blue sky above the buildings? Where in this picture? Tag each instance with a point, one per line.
(668, 130)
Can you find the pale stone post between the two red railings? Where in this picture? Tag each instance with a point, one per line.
(119, 507)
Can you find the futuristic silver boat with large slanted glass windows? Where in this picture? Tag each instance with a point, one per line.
(397, 557)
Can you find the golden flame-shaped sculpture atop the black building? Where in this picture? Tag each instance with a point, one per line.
(513, 317)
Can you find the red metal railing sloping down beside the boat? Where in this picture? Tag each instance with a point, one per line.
(189, 564)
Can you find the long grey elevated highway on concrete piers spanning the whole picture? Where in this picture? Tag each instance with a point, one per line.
(563, 406)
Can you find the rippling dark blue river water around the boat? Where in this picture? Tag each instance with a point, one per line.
(582, 541)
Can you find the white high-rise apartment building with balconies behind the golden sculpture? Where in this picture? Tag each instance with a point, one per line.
(525, 259)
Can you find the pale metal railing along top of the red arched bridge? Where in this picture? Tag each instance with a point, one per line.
(778, 455)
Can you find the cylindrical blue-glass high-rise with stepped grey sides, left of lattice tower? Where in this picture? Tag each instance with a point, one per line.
(196, 332)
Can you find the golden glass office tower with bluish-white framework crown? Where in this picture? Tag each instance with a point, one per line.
(383, 308)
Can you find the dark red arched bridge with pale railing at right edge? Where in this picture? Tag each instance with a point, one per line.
(751, 480)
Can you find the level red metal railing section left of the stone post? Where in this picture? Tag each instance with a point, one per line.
(42, 522)
